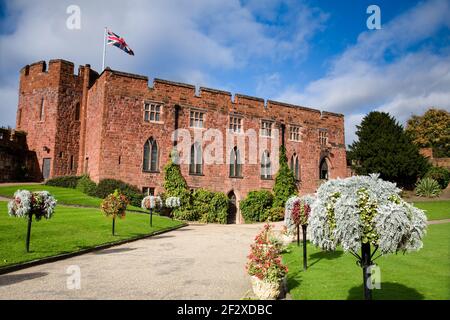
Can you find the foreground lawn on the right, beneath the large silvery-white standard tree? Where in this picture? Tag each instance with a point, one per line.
(335, 275)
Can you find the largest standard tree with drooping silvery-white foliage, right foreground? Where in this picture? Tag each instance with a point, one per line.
(363, 211)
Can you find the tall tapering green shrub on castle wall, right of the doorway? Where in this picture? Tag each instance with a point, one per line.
(285, 185)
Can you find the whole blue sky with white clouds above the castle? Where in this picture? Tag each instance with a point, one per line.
(312, 53)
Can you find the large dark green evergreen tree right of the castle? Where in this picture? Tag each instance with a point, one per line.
(383, 147)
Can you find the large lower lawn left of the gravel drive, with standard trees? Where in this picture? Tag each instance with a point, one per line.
(71, 229)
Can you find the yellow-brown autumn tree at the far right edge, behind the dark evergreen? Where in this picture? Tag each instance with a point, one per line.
(431, 130)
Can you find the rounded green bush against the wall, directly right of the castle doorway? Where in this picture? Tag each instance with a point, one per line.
(253, 207)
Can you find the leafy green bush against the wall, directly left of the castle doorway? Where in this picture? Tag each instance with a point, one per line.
(211, 206)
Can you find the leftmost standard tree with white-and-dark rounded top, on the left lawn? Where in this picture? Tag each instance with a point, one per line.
(26, 204)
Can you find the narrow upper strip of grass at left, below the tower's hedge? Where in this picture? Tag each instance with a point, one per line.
(63, 195)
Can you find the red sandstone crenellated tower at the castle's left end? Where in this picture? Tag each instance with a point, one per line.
(49, 111)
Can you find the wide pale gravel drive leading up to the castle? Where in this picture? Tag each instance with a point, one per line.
(195, 262)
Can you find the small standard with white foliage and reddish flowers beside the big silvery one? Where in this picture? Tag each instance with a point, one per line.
(297, 213)
